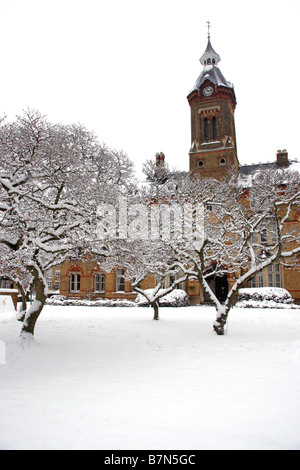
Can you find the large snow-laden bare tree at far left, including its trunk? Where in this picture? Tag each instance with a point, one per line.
(52, 178)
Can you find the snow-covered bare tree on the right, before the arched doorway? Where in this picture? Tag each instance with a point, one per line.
(246, 230)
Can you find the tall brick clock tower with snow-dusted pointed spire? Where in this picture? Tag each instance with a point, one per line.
(212, 102)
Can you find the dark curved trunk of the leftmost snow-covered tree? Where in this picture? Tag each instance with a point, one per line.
(34, 311)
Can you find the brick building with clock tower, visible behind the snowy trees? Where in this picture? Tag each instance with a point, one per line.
(213, 150)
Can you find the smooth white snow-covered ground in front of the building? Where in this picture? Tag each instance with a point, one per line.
(111, 378)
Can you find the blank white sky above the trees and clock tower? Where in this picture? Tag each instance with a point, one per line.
(124, 68)
